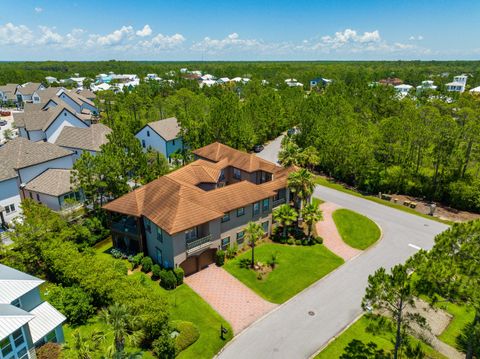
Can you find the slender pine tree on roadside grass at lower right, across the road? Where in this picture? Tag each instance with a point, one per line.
(394, 293)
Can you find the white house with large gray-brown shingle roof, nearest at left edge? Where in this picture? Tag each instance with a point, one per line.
(21, 161)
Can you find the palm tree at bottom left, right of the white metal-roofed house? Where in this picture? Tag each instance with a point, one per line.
(124, 327)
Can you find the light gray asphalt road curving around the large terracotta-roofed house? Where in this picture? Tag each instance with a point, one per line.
(291, 331)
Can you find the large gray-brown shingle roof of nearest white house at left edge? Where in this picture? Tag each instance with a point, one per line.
(20, 153)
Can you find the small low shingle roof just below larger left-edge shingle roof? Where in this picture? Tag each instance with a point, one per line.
(54, 182)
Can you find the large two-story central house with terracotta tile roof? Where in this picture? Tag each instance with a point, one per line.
(183, 218)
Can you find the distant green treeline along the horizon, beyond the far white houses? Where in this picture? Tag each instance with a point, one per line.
(411, 72)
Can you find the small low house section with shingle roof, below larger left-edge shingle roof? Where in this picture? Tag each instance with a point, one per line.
(53, 188)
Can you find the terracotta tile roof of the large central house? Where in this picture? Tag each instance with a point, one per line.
(175, 203)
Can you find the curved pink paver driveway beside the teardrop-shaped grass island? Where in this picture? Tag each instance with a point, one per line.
(331, 238)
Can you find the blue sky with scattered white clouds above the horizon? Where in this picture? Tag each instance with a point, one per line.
(239, 30)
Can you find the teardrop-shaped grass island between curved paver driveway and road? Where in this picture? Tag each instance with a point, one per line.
(356, 230)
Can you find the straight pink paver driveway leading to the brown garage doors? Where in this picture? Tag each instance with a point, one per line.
(237, 303)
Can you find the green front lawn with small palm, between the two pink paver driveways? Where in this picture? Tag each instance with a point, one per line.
(297, 268)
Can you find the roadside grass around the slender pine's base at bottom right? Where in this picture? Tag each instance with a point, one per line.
(358, 331)
